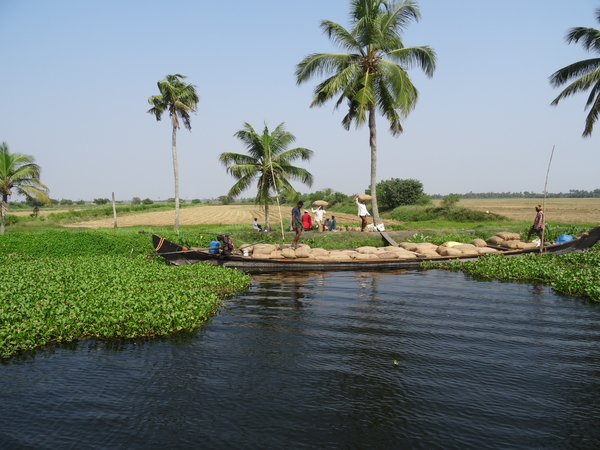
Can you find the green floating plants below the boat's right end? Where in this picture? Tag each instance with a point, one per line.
(575, 274)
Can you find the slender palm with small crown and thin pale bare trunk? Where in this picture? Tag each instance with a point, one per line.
(180, 99)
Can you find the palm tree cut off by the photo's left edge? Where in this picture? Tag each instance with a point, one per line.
(19, 173)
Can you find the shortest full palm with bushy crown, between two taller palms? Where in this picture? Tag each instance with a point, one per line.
(268, 162)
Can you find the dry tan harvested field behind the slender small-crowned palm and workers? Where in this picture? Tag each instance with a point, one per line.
(208, 215)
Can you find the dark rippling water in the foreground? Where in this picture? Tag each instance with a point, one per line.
(307, 361)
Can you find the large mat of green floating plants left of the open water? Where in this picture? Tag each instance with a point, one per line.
(59, 286)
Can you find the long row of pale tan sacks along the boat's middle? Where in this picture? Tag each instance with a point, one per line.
(406, 250)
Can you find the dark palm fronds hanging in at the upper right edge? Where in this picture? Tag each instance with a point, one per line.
(586, 73)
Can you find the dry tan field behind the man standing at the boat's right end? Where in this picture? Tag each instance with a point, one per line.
(563, 210)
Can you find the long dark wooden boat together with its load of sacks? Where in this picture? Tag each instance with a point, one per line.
(258, 257)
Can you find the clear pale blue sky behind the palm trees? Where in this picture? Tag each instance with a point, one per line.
(76, 75)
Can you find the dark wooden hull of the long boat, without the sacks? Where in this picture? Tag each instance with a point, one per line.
(179, 255)
